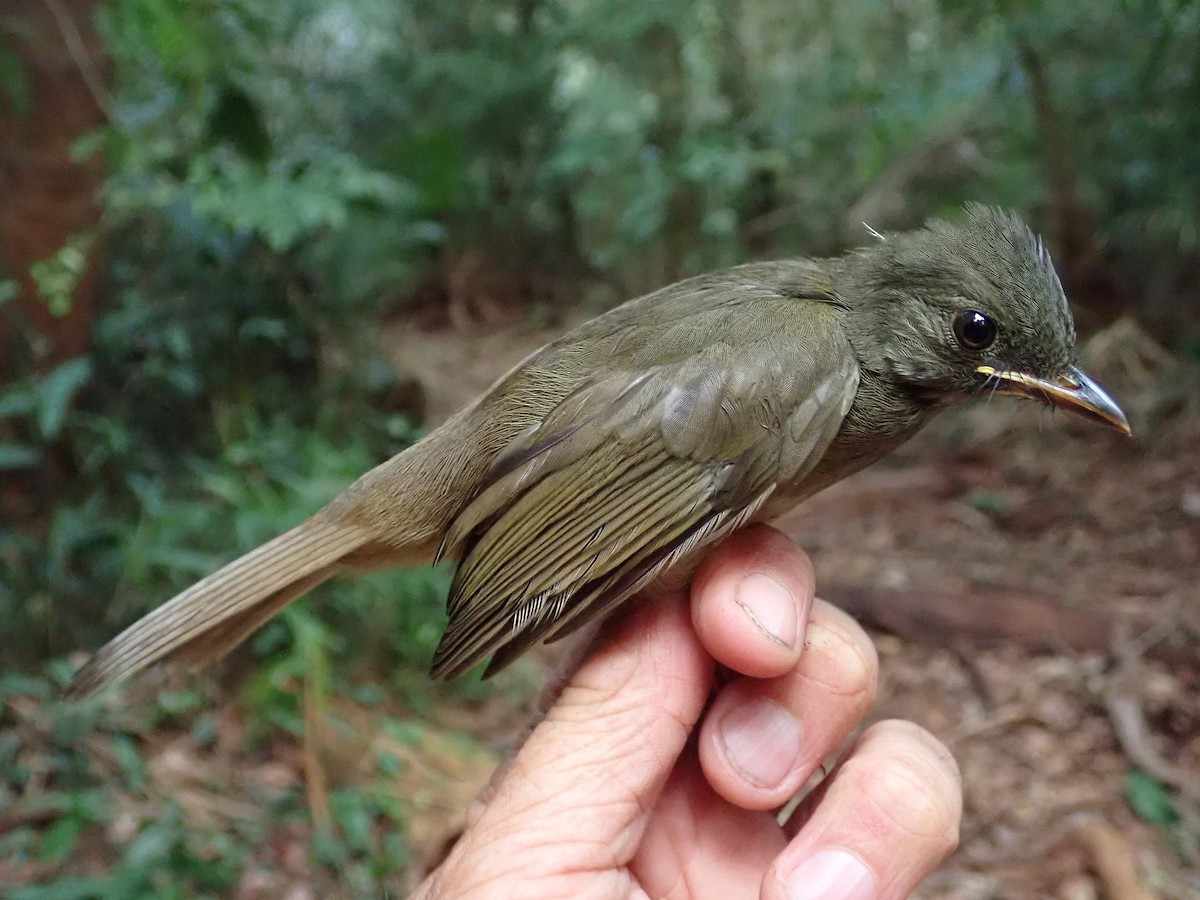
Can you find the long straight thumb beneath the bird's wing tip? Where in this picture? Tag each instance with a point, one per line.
(577, 799)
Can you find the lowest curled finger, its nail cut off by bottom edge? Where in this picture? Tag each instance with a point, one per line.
(886, 819)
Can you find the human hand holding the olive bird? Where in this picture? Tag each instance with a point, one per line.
(632, 787)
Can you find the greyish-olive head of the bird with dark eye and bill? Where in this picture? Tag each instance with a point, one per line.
(956, 310)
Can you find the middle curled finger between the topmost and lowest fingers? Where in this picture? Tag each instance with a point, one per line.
(764, 739)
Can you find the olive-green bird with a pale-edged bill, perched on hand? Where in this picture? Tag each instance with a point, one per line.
(602, 466)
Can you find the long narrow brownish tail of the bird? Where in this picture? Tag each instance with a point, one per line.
(218, 614)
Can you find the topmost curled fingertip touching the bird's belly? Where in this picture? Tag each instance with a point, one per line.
(751, 602)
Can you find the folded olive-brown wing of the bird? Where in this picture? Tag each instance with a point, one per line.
(633, 471)
